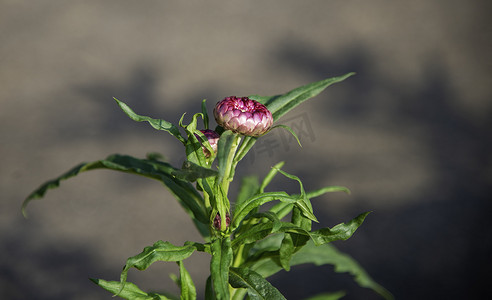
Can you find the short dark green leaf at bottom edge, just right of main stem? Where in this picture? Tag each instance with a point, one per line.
(257, 286)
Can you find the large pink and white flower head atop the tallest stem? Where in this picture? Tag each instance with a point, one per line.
(243, 115)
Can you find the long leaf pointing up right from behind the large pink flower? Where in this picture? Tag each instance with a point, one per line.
(281, 104)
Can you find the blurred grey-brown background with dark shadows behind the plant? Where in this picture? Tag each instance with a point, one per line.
(409, 134)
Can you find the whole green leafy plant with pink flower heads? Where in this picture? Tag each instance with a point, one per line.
(246, 244)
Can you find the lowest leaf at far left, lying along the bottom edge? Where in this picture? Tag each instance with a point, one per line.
(130, 290)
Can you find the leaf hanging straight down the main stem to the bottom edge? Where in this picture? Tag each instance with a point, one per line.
(219, 266)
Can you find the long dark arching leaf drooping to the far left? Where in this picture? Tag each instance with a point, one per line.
(184, 191)
